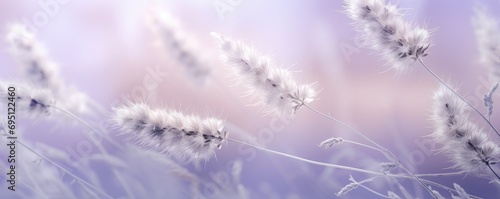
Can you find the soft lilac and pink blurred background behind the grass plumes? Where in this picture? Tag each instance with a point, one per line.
(106, 49)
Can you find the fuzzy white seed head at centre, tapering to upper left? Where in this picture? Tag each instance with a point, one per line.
(276, 89)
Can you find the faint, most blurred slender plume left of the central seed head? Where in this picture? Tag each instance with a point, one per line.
(180, 46)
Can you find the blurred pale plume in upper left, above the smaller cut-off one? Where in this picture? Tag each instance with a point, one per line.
(37, 66)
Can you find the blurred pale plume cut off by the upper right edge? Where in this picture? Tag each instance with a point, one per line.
(487, 32)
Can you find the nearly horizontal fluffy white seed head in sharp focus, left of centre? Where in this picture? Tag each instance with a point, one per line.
(185, 136)
